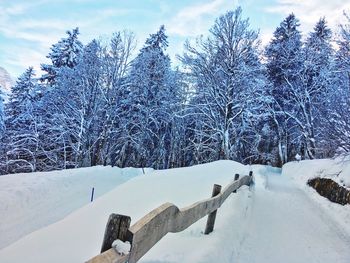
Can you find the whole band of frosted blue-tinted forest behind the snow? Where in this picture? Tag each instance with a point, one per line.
(229, 98)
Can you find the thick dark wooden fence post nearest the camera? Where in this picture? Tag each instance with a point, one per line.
(116, 228)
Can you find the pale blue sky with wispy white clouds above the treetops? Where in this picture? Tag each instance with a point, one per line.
(28, 28)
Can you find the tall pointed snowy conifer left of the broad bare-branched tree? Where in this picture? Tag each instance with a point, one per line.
(153, 94)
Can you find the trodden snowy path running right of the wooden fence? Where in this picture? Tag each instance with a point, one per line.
(285, 225)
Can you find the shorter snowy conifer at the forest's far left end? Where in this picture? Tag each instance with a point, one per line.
(22, 137)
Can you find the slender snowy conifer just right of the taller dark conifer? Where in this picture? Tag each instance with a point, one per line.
(312, 95)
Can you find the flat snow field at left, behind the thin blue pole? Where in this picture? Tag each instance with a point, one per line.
(34, 200)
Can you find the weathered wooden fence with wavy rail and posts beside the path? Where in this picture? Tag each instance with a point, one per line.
(146, 232)
